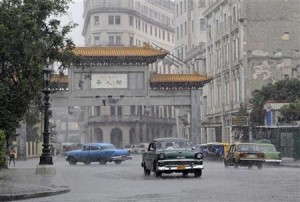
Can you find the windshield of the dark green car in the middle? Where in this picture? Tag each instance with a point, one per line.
(174, 145)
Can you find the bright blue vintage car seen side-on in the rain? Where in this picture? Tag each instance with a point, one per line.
(98, 152)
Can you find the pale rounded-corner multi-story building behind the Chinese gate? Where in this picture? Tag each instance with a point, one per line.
(131, 23)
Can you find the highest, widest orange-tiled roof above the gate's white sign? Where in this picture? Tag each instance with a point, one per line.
(120, 55)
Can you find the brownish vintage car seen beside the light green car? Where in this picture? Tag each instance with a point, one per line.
(244, 154)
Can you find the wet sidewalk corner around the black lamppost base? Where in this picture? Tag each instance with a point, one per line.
(21, 182)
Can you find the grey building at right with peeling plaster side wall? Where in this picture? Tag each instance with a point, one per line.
(250, 43)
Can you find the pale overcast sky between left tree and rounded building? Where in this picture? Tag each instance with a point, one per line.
(75, 14)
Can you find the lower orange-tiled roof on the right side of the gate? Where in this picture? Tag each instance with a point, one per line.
(178, 81)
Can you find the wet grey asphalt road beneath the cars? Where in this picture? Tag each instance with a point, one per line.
(126, 182)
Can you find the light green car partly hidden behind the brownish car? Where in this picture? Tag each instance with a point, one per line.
(272, 156)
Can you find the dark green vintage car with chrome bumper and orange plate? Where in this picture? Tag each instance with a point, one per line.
(168, 155)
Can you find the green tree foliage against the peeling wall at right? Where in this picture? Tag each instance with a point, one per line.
(284, 90)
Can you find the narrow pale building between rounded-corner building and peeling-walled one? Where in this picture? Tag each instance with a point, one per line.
(190, 38)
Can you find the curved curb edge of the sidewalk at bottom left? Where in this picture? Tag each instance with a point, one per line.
(12, 197)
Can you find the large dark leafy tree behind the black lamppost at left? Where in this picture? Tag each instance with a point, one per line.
(31, 38)
